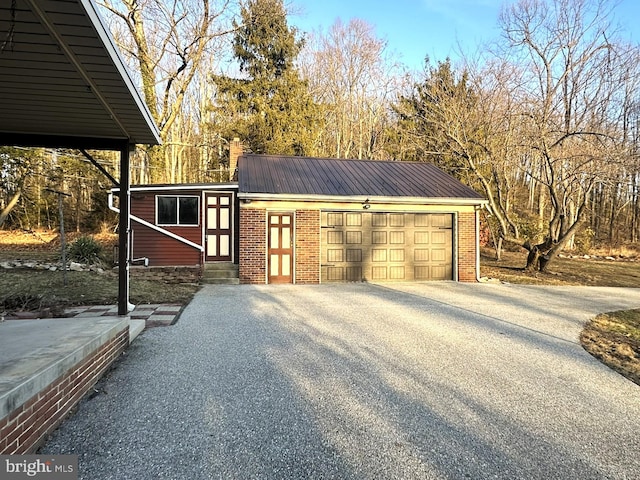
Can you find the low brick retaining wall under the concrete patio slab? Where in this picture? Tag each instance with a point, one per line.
(24, 429)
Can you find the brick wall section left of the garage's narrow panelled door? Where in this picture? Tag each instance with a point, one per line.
(253, 245)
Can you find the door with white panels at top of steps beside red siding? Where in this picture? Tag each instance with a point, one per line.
(218, 228)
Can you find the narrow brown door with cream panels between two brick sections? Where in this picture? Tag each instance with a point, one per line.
(280, 251)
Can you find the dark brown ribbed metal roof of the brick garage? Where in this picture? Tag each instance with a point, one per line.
(261, 175)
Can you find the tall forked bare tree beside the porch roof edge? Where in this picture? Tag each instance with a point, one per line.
(168, 41)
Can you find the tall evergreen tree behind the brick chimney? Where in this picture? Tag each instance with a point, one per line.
(270, 108)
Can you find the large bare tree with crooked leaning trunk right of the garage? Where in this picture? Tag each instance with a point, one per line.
(572, 68)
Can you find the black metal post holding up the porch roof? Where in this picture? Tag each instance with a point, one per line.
(123, 233)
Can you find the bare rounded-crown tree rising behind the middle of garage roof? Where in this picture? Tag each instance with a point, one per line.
(351, 74)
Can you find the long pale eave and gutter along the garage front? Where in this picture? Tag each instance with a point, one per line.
(361, 199)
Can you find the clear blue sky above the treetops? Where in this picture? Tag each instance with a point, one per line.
(438, 28)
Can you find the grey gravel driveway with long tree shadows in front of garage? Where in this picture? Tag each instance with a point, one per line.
(415, 381)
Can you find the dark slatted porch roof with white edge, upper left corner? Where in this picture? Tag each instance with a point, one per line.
(63, 81)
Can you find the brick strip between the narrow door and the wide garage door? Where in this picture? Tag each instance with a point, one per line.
(307, 246)
